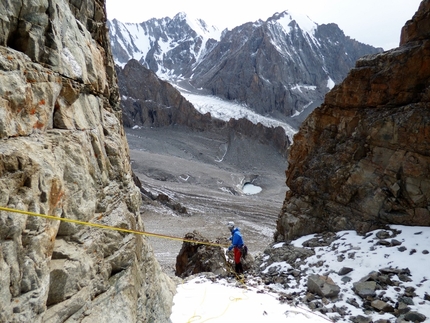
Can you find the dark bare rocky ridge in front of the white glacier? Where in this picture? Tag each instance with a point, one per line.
(150, 102)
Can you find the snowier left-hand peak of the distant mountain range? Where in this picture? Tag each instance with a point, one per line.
(169, 47)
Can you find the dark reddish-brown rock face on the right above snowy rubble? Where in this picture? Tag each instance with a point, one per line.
(361, 159)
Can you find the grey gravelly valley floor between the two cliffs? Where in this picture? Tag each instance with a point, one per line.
(205, 172)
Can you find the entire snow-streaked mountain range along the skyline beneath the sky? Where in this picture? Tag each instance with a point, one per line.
(276, 67)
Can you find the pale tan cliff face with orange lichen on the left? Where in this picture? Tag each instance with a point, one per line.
(64, 153)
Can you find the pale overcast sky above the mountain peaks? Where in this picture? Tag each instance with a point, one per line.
(374, 22)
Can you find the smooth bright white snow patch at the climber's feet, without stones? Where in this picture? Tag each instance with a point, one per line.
(201, 300)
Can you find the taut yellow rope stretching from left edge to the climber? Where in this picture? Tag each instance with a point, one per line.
(107, 227)
